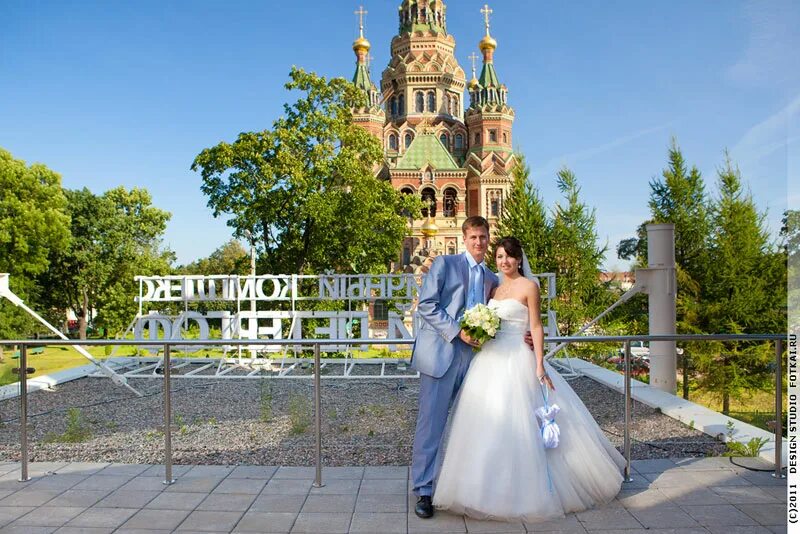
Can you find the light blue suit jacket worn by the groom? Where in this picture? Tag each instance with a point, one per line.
(441, 301)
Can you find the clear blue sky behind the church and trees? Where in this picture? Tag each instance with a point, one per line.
(128, 93)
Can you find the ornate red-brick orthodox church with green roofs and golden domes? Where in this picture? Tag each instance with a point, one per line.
(455, 154)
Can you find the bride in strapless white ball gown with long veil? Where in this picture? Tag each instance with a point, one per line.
(495, 463)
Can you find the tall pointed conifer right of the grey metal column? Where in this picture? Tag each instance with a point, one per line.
(746, 292)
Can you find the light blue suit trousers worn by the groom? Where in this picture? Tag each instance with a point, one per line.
(436, 395)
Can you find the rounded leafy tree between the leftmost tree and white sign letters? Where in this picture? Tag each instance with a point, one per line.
(115, 236)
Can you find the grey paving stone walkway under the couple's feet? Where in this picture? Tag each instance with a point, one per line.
(685, 496)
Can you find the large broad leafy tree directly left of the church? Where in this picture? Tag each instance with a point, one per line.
(306, 188)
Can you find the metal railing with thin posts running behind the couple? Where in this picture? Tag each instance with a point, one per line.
(317, 343)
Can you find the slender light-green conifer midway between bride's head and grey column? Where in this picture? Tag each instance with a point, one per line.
(577, 258)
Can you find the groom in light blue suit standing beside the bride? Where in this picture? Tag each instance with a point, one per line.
(442, 351)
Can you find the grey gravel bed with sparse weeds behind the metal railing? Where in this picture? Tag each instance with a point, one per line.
(269, 422)
